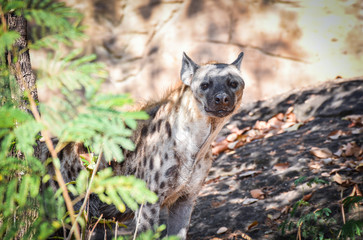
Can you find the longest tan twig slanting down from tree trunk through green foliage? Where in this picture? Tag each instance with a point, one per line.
(58, 174)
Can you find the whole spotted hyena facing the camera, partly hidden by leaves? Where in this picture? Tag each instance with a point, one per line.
(173, 154)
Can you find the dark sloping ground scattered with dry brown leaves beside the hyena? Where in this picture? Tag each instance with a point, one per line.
(314, 132)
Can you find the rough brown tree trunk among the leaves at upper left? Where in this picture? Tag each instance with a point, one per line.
(20, 62)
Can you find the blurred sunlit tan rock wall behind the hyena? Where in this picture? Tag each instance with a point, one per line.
(287, 44)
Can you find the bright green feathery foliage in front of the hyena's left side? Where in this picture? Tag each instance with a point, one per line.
(29, 209)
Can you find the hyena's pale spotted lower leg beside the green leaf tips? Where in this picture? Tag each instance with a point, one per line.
(147, 217)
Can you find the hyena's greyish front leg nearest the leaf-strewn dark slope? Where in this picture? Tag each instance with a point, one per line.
(179, 216)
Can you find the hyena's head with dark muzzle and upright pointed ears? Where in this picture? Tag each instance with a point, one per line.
(217, 87)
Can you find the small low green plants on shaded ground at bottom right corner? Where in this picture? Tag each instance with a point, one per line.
(319, 224)
